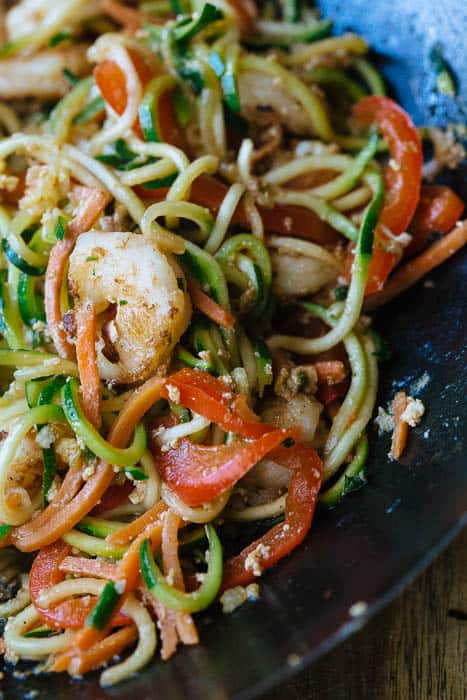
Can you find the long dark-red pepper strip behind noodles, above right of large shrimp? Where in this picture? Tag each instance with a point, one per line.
(288, 220)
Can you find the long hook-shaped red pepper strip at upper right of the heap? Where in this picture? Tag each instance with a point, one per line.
(402, 176)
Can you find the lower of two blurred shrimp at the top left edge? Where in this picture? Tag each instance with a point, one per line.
(41, 75)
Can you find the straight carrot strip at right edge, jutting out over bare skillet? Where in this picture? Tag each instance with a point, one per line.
(412, 271)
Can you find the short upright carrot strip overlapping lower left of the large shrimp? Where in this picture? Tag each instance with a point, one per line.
(86, 358)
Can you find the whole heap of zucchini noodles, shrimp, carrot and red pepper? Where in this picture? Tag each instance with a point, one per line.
(193, 216)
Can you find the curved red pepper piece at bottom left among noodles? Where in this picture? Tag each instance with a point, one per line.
(71, 613)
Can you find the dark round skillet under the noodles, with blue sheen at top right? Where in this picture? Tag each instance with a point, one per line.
(374, 543)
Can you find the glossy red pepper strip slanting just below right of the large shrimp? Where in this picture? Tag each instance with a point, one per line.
(212, 398)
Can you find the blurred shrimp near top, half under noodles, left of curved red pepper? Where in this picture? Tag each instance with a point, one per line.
(259, 92)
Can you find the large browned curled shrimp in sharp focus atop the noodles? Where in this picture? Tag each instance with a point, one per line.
(140, 299)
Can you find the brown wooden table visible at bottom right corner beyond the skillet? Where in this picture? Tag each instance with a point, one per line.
(415, 649)
